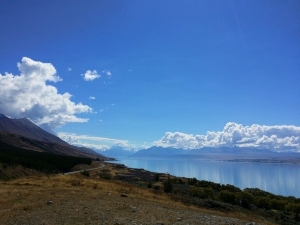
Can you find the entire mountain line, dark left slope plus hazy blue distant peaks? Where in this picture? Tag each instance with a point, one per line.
(22, 133)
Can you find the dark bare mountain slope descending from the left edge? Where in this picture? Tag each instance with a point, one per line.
(22, 133)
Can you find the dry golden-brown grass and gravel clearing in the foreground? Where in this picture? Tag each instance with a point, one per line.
(77, 199)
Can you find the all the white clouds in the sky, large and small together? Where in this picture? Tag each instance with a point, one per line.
(31, 95)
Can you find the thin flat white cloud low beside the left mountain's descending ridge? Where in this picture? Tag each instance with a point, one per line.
(95, 142)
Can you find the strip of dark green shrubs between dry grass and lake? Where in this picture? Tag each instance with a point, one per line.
(210, 195)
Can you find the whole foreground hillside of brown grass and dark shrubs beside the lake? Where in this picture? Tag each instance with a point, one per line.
(109, 193)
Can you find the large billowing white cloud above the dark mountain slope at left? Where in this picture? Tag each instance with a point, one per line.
(29, 95)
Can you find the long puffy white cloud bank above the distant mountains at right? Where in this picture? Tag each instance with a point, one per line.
(277, 138)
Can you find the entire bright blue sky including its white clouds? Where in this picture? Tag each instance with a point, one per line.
(184, 74)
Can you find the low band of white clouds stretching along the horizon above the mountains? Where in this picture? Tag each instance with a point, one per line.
(276, 138)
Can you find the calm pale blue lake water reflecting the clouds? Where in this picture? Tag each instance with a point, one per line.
(280, 179)
